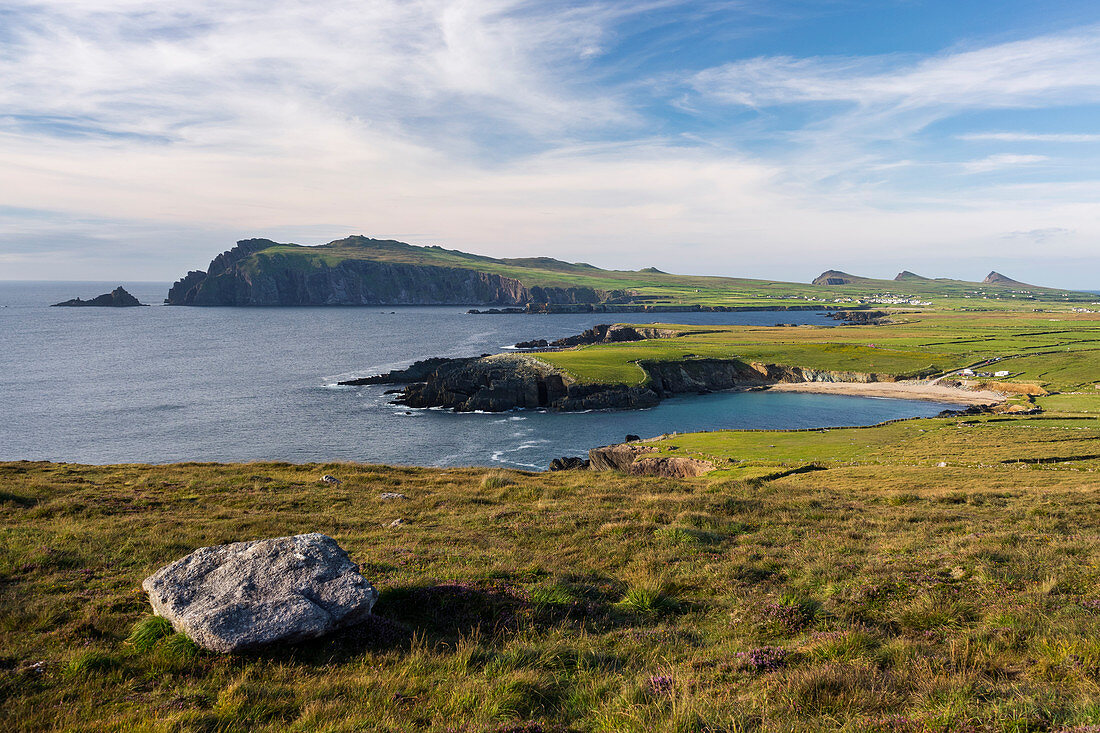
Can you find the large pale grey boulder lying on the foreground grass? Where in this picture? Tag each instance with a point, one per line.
(230, 598)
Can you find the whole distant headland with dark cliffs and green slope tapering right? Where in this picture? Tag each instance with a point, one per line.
(360, 271)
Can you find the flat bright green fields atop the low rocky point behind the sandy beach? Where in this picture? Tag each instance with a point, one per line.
(1062, 354)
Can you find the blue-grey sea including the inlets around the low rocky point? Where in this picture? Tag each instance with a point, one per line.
(159, 385)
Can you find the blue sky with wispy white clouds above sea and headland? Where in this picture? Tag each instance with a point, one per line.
(764, 139)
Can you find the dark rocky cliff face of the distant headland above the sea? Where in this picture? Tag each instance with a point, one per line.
(239, 279)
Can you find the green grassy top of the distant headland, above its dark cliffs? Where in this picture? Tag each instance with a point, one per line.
(668, 289)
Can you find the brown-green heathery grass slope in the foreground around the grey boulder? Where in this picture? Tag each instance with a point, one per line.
(901, 597)
